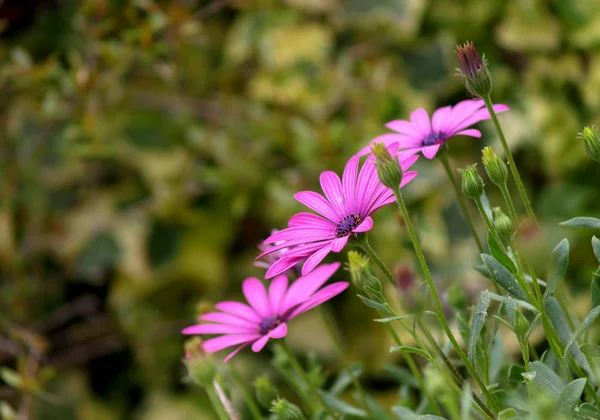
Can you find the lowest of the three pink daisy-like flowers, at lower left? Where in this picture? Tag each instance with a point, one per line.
(267, 314)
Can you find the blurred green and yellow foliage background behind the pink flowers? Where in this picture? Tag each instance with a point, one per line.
(147, 147)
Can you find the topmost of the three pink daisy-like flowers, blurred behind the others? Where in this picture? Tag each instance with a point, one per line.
(425, 135)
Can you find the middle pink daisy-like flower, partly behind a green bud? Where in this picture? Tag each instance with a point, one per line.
(344, 211)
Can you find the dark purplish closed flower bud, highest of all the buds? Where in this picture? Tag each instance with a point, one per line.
(474, 71)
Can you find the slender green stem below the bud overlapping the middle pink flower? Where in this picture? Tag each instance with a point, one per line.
(436, 300)
